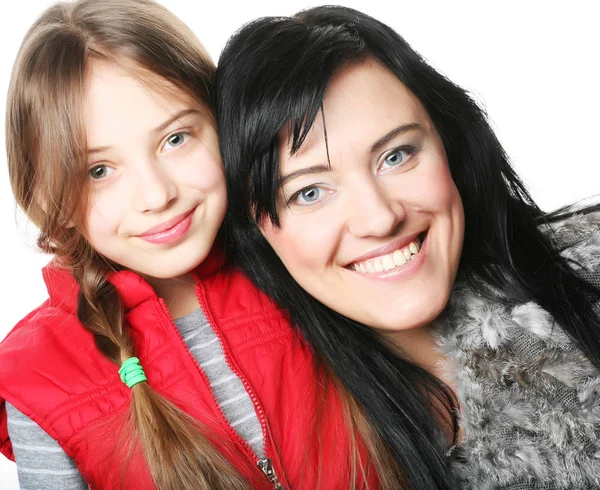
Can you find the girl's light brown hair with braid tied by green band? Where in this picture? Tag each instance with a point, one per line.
(47, 166)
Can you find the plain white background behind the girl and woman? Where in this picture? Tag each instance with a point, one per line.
(533, 65)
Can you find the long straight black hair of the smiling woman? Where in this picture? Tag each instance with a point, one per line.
(273, 74)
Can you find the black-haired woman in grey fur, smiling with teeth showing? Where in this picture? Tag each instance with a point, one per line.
(366, 187)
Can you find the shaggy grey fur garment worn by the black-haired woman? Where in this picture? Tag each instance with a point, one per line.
(529, 400)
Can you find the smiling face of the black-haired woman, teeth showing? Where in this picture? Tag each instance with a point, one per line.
(371, 220)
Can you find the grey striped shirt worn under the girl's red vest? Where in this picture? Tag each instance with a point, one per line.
(41, 462)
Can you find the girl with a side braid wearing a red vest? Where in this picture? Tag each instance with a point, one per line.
(153, 364)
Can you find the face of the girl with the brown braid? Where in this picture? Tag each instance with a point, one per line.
(157, 189)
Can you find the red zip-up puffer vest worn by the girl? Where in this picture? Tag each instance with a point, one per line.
(51, 371)
